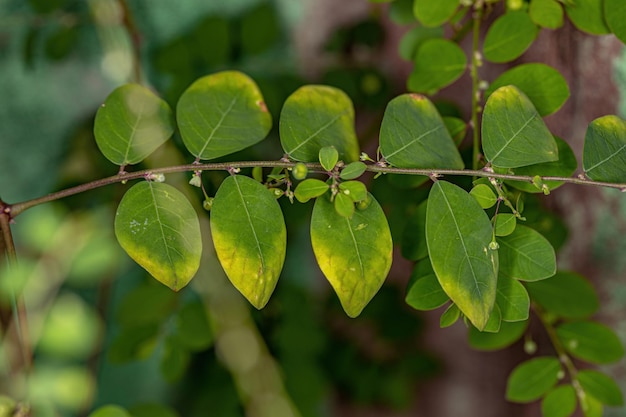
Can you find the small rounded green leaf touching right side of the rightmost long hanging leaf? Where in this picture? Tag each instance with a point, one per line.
(526, 255)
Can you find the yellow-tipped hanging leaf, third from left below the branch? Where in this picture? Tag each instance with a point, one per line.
(354, 254)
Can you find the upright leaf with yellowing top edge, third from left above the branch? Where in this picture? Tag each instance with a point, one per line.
(315, 116)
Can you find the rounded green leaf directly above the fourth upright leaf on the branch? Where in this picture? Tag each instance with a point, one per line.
(438, 63)
